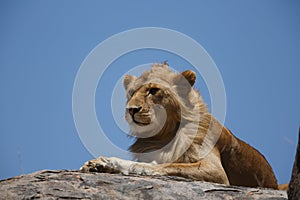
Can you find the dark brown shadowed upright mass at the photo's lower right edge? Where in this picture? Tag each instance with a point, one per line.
(294, 185)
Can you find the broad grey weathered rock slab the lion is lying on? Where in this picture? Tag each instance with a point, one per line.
(78, 185)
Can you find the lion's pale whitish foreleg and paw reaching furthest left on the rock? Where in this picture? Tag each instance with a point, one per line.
(117, 165)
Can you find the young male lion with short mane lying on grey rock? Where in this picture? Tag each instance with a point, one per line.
(177, 136)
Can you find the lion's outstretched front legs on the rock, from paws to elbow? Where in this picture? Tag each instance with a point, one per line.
(208, 169)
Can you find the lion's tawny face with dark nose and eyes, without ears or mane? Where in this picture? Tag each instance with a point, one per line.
(148, 108)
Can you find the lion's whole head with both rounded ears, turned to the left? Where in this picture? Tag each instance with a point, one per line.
(159, 101)
